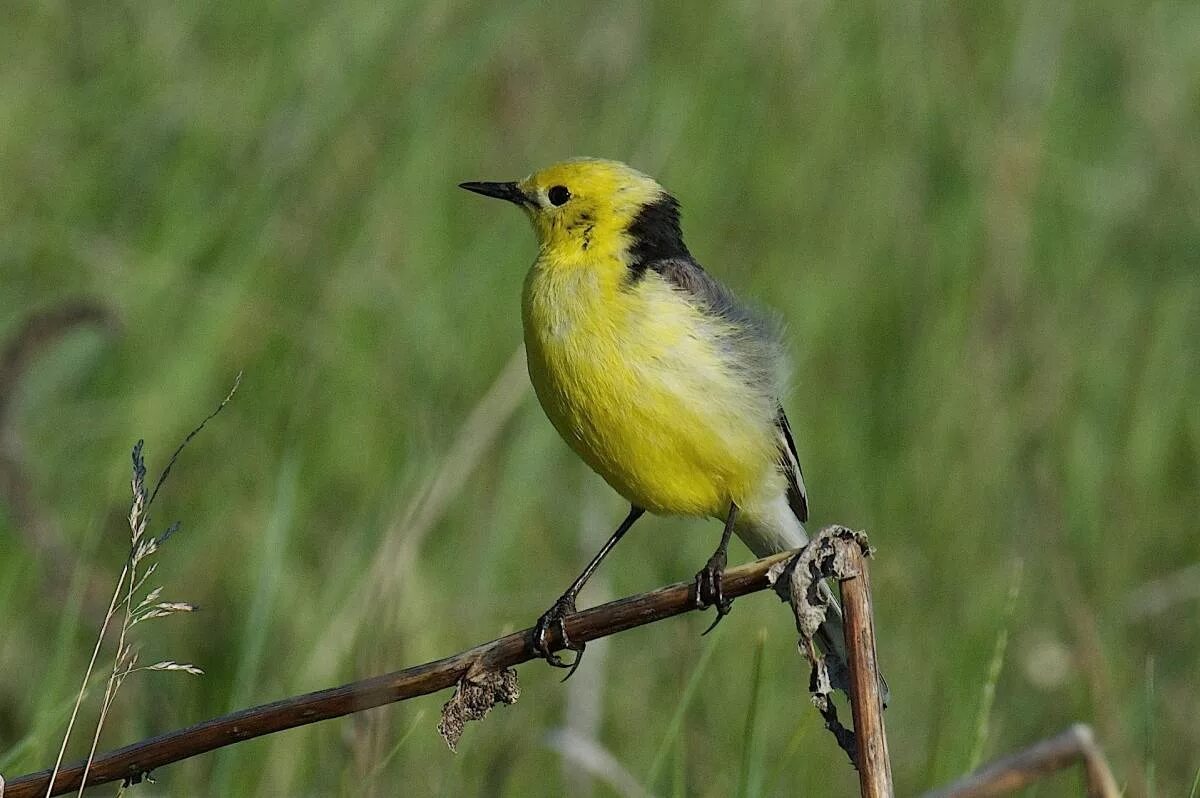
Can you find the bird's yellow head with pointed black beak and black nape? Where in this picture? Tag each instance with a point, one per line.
(587, 208)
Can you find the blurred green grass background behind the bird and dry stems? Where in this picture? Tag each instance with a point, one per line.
(981, 221)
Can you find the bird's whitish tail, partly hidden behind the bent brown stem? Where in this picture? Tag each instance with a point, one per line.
(773, 530)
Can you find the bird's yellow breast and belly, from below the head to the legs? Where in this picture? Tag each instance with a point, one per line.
(637, 381)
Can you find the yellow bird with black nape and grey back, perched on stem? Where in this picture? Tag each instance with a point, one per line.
(655, 374)
